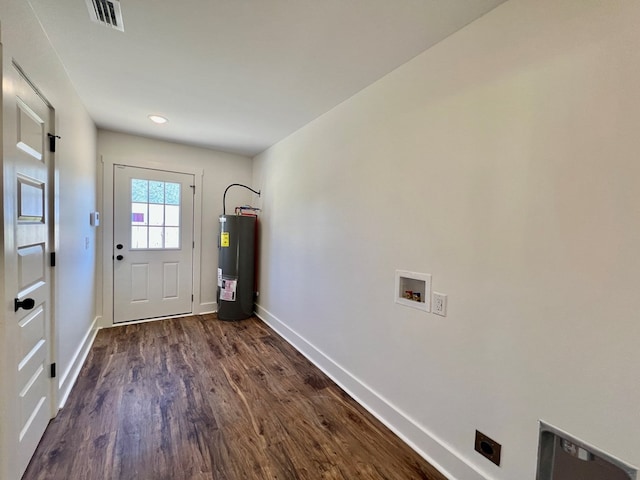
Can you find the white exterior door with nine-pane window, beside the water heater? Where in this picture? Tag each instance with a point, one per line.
(153, 243)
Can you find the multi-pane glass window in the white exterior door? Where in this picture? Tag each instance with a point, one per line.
(155, 215)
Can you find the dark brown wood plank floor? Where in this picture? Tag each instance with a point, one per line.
(198, 398)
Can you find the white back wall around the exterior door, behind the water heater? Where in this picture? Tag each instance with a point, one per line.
(216, 170)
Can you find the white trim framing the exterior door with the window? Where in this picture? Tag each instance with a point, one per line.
(107, 164)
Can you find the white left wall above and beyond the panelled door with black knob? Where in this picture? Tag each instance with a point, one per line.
(75, 182)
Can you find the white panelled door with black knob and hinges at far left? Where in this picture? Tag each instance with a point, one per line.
(26, 333)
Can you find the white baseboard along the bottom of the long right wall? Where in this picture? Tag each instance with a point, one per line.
(427, 445)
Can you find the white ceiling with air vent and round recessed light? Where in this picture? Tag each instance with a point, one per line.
(239, 75)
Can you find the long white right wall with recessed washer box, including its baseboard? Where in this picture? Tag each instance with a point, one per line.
(504, 161)
